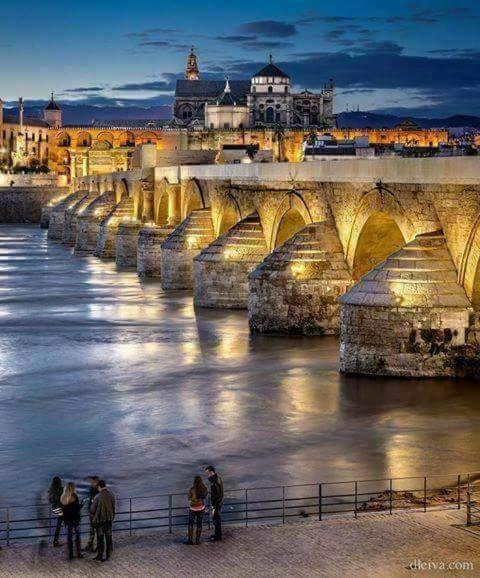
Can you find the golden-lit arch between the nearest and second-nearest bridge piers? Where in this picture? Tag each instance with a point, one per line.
(380, 227)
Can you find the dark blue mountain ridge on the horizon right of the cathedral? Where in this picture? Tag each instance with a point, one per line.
(378, 120)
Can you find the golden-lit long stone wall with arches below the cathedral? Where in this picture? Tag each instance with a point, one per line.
(84, 150)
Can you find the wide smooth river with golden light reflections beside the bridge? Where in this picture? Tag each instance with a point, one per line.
(103, 374)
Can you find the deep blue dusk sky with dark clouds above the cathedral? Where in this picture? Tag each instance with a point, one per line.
(391, 56)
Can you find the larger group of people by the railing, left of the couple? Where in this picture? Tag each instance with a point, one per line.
(67, 507)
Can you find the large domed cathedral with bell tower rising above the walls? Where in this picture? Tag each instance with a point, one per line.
(266, 100)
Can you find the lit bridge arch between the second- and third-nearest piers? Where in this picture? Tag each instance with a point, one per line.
(291, 215)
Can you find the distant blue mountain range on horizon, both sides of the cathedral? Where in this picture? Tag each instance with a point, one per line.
(89, 114)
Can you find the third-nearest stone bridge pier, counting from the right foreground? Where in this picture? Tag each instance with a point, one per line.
(221, 270)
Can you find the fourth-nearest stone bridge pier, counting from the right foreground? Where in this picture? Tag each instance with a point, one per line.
(179, 249)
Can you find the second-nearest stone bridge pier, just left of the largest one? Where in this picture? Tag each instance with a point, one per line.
(295, 289)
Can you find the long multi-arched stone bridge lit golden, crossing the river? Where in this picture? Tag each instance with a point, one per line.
(287, 240)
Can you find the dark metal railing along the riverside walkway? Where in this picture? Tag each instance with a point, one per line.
(249, 506)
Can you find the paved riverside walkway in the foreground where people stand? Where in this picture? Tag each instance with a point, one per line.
(372, 545)
